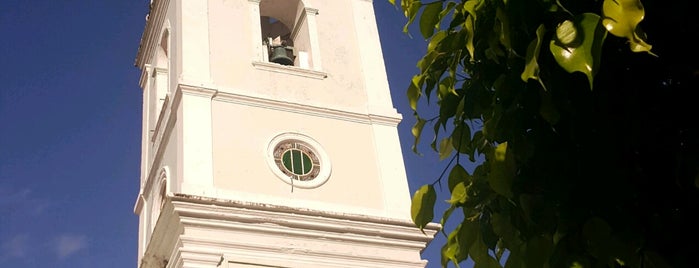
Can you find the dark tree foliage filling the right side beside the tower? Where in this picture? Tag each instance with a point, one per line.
(589, 149)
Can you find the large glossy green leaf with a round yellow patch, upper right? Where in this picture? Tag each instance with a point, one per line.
(578, 45)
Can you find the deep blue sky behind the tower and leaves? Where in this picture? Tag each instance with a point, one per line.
(70, 119)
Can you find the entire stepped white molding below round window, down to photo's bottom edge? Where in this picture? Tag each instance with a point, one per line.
(393, 243)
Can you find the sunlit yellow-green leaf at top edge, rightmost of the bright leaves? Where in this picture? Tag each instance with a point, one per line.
(621, 18)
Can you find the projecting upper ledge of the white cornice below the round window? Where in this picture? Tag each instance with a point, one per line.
(403, 233)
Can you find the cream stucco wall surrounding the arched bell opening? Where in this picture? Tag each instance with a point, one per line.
(232, 57)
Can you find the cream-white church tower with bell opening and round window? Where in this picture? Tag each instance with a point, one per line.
(270, 139)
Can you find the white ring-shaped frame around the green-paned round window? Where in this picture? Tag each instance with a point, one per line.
(324, 165)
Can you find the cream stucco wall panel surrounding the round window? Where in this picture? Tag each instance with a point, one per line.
(242, 135)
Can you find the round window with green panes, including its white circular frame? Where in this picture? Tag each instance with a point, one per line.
(298, 160)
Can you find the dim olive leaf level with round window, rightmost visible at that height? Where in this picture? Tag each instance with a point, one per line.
(502, 171)
